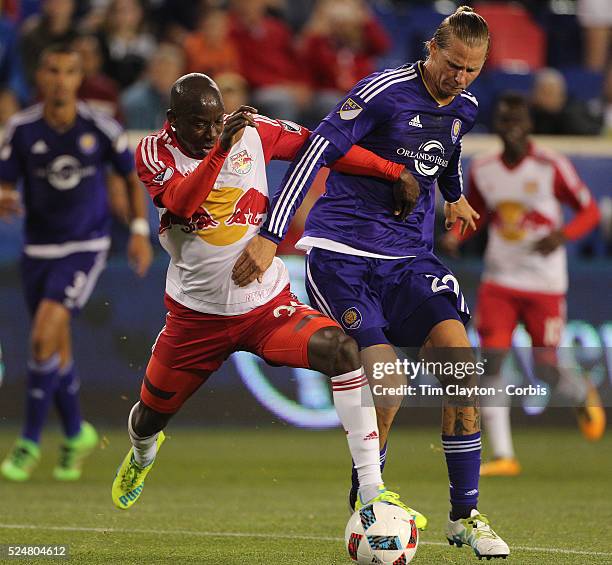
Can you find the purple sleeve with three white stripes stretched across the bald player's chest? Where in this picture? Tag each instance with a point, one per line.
(351, 120)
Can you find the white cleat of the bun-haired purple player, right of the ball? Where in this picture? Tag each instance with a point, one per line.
(476, 532)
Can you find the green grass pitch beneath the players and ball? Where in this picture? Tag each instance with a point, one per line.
(219, 496)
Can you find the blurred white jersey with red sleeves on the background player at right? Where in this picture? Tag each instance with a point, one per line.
(523, 203)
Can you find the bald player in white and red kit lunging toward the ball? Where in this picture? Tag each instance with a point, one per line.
(208, 179)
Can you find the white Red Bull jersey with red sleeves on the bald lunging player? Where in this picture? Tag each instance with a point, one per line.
(204, 248)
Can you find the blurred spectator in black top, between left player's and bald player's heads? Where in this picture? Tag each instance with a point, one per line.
(126, 45)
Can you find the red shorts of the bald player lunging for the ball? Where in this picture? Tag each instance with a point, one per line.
(193, 344)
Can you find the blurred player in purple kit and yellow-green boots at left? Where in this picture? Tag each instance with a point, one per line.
(58, 151)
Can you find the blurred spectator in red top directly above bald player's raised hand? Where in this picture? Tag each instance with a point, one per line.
(269, 60)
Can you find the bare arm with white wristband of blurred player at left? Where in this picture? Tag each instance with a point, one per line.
(140, 252)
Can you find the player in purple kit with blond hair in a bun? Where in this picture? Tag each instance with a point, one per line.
(375, 273)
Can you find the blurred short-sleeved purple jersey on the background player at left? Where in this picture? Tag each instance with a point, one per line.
(63, 178)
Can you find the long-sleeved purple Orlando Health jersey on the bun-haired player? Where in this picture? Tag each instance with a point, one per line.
(392, 114)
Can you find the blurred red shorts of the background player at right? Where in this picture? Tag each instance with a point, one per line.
(501, 308)
